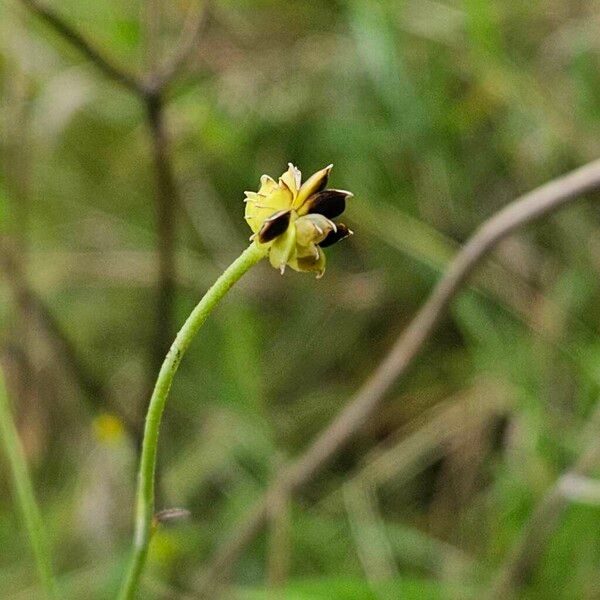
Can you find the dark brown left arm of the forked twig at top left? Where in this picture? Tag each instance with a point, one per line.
(87, 48)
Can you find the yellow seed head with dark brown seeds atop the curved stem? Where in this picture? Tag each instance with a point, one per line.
(294, 221)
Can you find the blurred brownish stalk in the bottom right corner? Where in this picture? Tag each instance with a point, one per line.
(543, 521)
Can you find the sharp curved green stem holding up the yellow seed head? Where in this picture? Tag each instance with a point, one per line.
(145, 492)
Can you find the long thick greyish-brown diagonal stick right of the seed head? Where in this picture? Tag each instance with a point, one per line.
(528, 208)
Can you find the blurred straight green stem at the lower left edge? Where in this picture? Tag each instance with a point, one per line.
(25, 497)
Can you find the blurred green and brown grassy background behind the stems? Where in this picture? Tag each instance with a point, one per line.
(435, 114)
